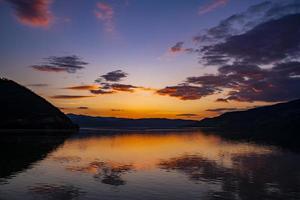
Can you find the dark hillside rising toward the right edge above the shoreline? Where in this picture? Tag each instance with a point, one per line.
(275, 119)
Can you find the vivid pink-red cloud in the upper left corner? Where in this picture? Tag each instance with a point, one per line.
(33, 12)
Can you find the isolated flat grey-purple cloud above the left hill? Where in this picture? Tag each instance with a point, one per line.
(69, 64)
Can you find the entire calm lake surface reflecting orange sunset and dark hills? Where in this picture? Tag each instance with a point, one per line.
(145, 165)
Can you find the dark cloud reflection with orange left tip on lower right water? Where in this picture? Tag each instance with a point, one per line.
(270, 176)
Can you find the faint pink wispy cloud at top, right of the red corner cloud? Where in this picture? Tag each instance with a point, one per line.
(106, 13)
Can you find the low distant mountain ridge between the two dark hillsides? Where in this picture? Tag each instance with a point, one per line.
(112, 122)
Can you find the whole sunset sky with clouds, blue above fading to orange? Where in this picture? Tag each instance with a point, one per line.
(186, 59)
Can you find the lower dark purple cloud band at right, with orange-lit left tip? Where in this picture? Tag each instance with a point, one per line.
(244, 82)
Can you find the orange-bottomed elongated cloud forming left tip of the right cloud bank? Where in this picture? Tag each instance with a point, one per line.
(186, 92)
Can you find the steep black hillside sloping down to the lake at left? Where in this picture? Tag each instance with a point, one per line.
(23, 109)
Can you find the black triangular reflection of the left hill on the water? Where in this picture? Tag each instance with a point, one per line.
(18, 152)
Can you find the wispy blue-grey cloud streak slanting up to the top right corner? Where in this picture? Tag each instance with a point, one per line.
(242, 22)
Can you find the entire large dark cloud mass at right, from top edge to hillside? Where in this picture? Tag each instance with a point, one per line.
(257, 55)
